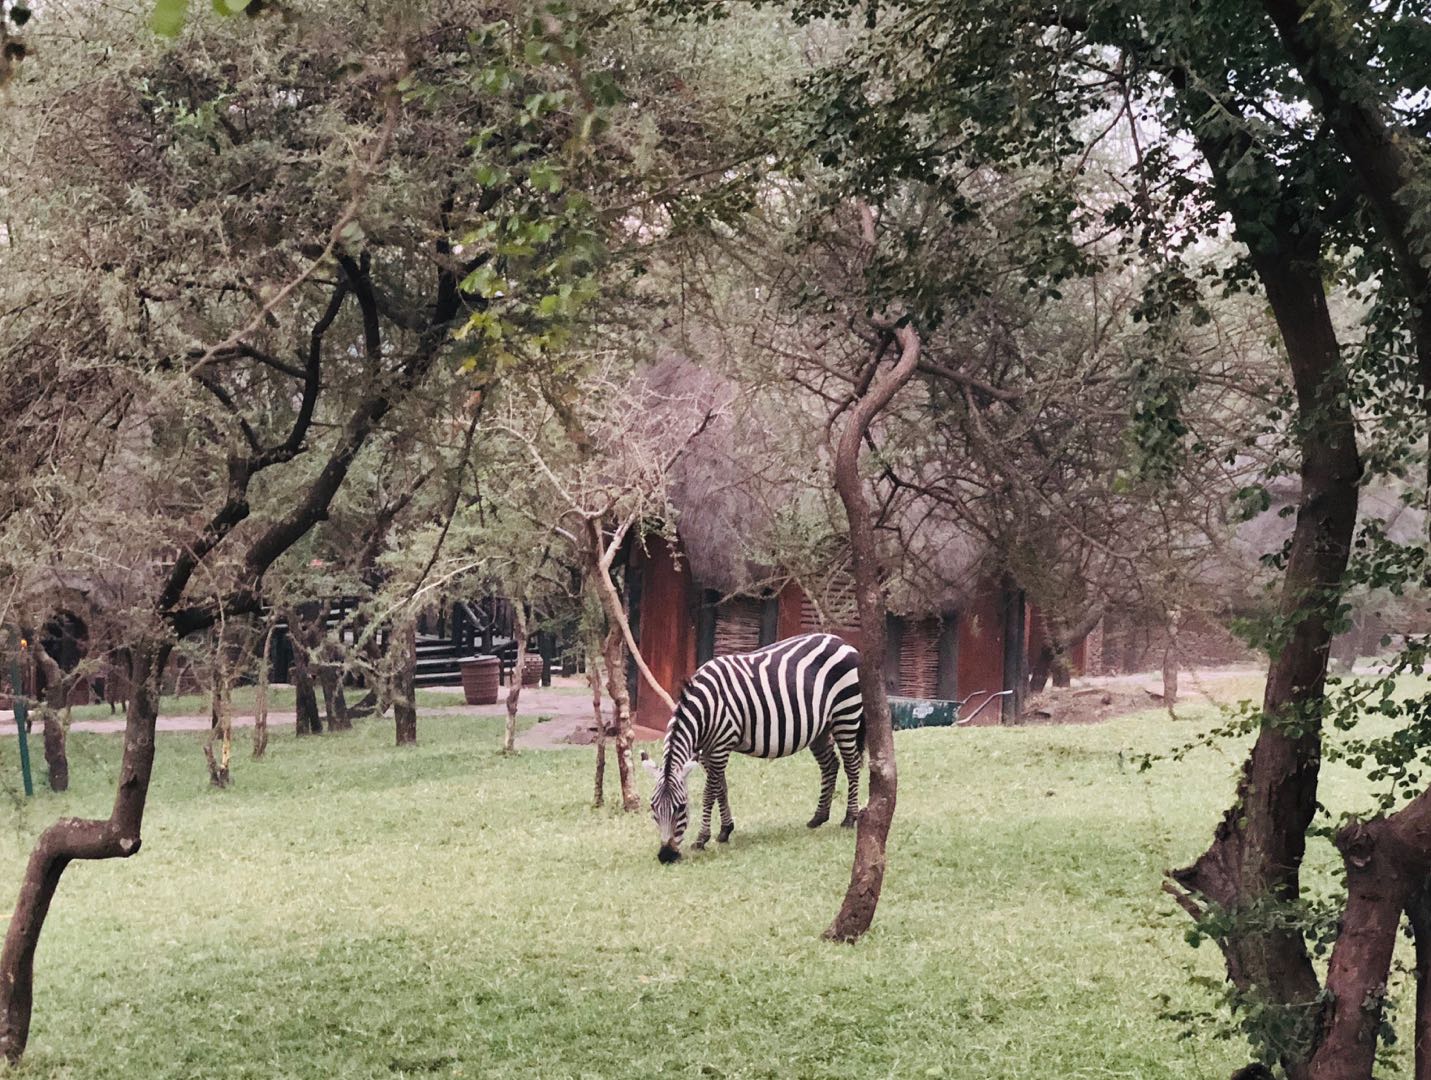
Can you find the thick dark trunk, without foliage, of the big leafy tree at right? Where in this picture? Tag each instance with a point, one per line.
(1256, 858)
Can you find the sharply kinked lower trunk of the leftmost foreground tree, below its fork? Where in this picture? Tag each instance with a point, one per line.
(72, 839)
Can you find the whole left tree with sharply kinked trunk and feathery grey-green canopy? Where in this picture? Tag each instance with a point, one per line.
(336, 192)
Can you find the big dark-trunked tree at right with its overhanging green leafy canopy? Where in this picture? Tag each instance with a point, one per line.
(929, 95)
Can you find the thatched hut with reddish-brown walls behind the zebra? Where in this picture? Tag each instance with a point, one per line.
(759, 557)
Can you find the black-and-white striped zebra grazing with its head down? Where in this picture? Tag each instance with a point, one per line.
(771, 703)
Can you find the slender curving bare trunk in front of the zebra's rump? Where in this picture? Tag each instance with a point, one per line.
(868, 873)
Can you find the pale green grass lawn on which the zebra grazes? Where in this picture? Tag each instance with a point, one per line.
(351, 910)
